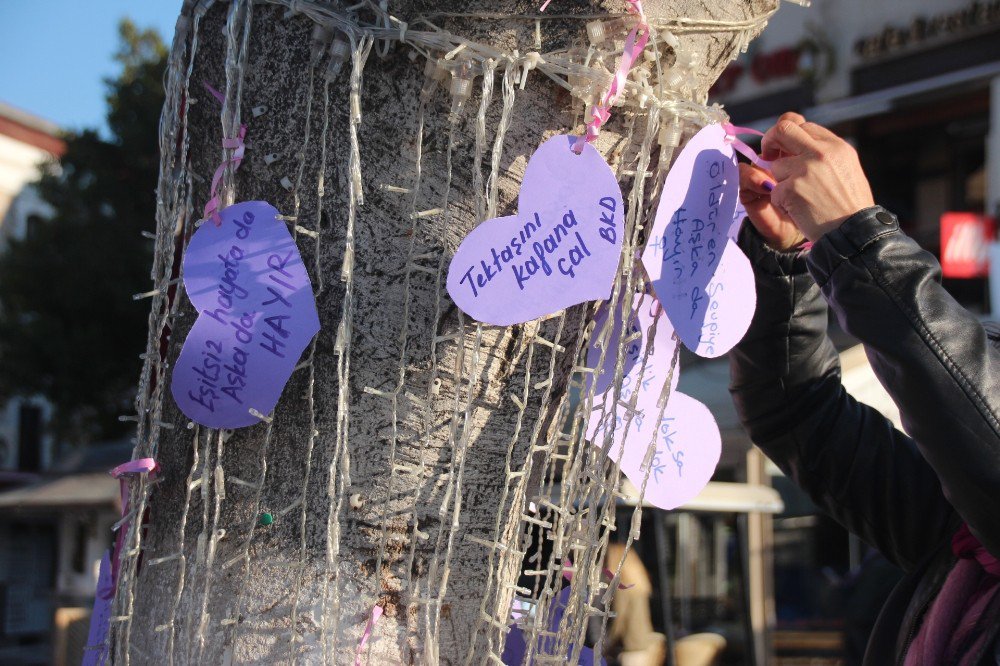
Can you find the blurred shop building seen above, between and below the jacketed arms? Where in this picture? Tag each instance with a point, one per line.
(915, 87)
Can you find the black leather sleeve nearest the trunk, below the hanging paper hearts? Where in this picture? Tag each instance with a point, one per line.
(848, 457)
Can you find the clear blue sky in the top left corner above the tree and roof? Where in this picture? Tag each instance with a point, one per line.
(54, 54)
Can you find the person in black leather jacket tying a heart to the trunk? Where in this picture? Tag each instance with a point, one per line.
(928, 500)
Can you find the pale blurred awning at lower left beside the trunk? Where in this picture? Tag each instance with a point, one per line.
(76, 490)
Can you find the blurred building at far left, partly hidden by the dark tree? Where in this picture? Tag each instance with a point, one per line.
(56, 511)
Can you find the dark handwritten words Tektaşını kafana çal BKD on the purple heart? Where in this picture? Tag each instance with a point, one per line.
(533, 252)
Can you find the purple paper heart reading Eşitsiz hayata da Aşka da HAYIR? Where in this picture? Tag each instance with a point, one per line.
(256, 315)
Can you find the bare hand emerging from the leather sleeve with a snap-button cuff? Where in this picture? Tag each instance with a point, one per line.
(820, 182)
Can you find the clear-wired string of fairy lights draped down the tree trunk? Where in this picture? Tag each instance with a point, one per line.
(564, 490)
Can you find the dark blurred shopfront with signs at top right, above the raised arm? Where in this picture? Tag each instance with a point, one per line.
(915, 86)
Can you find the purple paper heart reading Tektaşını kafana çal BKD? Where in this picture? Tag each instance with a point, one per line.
(562, 247)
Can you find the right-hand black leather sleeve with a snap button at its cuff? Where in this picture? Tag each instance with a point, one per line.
(933, 357)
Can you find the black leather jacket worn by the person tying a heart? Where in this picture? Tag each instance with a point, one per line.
(905, 495)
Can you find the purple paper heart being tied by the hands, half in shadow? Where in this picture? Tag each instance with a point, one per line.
(703, 279)
